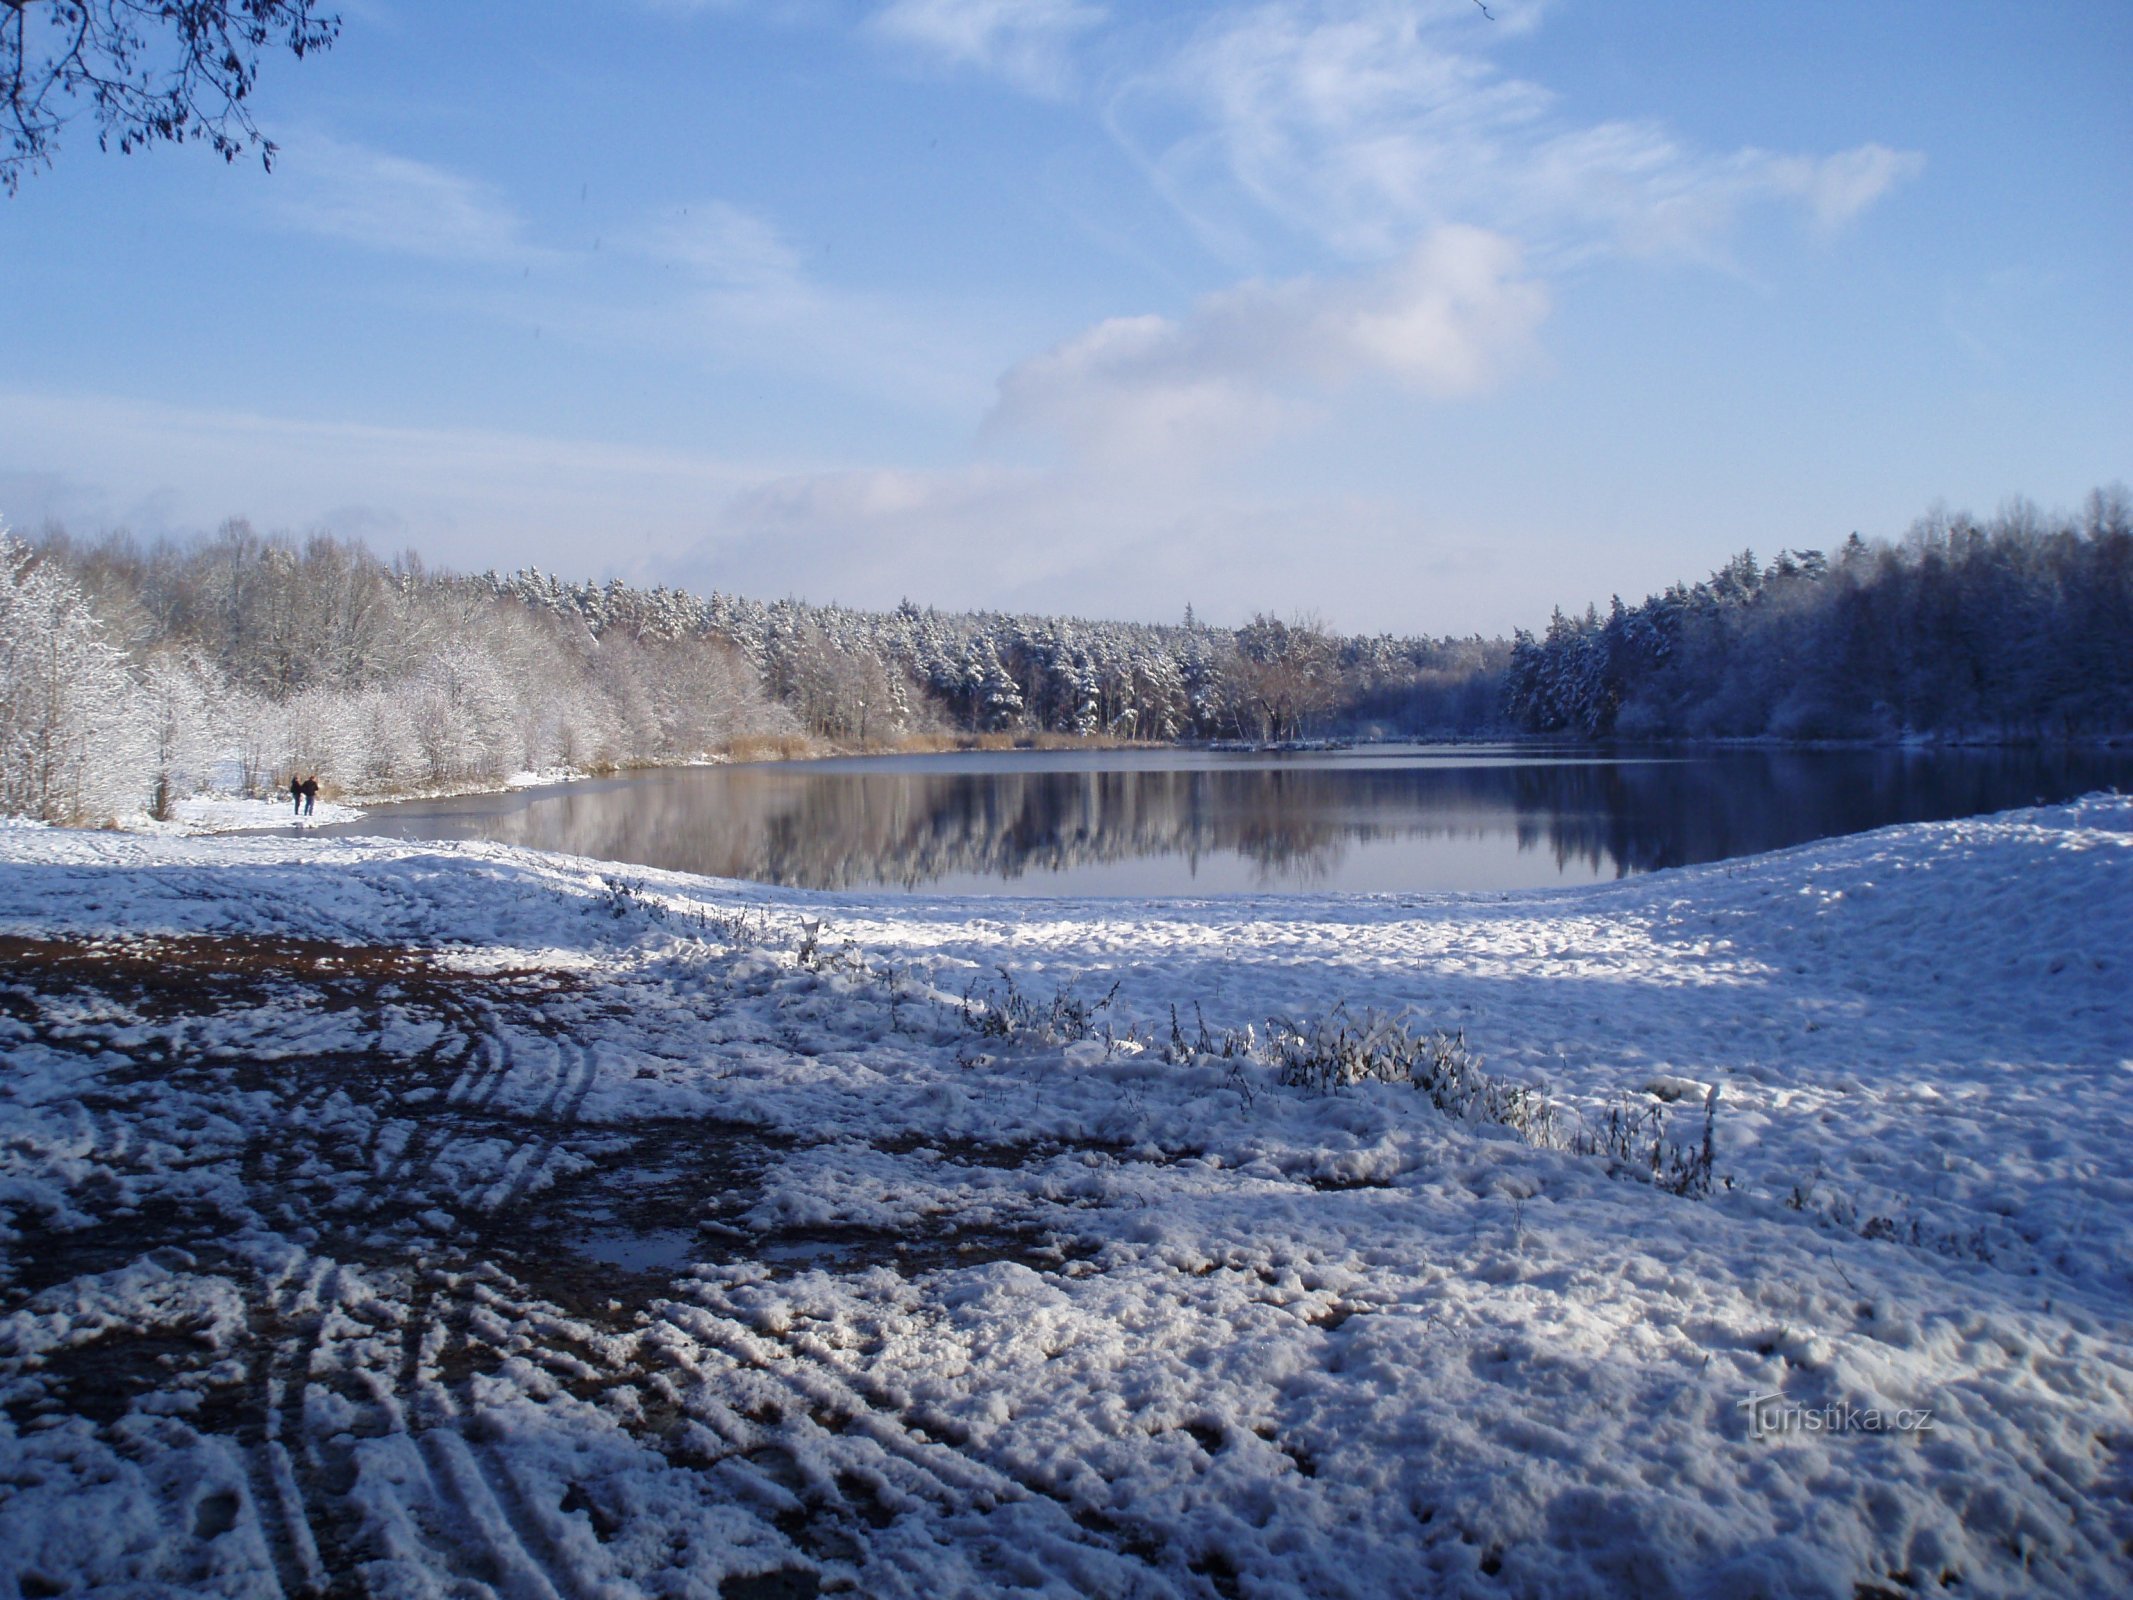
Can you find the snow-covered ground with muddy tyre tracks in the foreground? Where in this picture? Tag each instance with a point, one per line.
(455, 1221)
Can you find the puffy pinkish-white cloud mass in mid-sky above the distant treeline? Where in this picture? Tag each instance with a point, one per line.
(1153, 411)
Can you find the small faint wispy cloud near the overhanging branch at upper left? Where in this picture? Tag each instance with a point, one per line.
(394, 204)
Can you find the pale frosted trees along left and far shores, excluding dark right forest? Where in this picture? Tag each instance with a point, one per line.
(133, 673)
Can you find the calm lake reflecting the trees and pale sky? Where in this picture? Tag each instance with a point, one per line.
(1206, 822)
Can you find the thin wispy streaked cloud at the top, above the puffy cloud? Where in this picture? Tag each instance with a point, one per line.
(1366, 123)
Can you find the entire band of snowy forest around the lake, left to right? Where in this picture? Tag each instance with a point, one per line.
(133, 675)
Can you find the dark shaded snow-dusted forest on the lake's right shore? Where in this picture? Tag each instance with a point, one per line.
(2017, 626)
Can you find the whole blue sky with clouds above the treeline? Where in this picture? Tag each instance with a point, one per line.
(1407, 315)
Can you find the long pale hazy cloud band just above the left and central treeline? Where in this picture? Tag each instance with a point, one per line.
(1072, 539)
